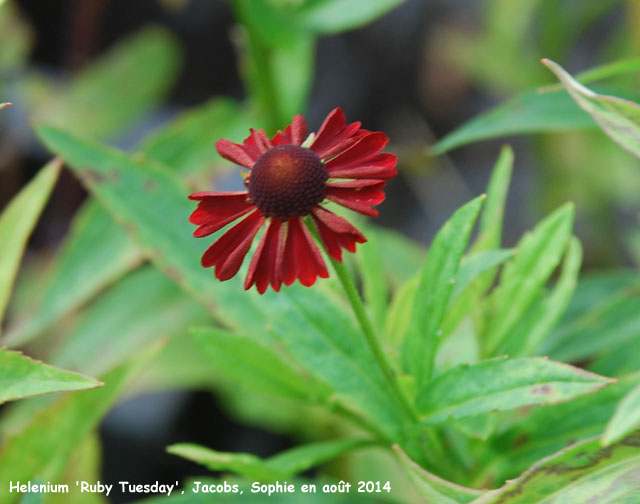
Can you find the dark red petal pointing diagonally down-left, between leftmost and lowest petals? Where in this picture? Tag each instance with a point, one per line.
(228, 252)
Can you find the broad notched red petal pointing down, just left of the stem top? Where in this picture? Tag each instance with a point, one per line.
(301, 259)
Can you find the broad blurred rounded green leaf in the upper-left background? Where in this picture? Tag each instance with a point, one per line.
(116, 90)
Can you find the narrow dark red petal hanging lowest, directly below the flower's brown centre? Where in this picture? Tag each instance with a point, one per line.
(263, 269)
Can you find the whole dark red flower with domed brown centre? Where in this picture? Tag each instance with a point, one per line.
(287, 182)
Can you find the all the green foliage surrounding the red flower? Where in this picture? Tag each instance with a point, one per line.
(512, 379)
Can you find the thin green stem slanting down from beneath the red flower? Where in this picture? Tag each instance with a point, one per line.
(370, 334)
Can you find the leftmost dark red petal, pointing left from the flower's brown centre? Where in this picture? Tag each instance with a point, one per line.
(216, 210)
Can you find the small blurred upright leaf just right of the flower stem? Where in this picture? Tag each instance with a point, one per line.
(374, 286)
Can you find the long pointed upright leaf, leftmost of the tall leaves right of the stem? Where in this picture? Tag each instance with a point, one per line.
(434, 291)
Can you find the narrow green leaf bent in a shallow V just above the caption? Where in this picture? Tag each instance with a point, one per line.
(284, 465)
